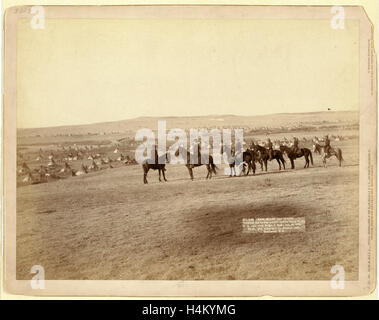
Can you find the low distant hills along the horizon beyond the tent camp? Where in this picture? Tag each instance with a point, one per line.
(130, 126)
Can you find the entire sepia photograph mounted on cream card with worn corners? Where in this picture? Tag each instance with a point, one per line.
(190, 150)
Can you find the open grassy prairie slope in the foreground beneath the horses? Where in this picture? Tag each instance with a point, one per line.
(109, 225)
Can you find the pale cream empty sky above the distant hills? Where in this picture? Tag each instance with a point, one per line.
(86, 71)
